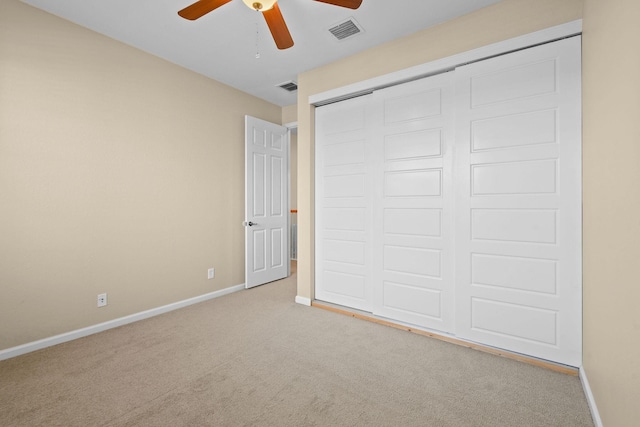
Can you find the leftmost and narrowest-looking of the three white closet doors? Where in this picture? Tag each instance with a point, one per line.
(343, 204)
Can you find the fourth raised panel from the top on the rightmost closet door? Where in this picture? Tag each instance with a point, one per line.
(514, 225)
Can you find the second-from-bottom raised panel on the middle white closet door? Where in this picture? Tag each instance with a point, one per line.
(424, 262)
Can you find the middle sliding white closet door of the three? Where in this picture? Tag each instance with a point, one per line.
(413, 199)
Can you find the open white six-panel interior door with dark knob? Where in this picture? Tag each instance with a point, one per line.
(266, 202)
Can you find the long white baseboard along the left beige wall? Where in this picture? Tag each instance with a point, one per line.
(94, 329)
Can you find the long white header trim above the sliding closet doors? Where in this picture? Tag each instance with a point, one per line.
(434, 67)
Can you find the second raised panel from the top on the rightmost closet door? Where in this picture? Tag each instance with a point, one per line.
(538, 127)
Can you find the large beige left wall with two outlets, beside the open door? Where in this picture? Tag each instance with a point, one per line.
(119, 173)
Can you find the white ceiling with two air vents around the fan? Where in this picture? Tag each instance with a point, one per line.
(222, 44)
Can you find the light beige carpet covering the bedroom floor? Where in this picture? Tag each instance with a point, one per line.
(255, 358)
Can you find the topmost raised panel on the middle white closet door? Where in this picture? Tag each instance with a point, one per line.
(413, 107)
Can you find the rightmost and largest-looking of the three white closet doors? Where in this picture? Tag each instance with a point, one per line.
(518, 205)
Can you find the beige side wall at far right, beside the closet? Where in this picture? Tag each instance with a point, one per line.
(611, 158)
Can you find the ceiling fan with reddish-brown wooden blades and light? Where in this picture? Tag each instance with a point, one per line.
(270, 11)
